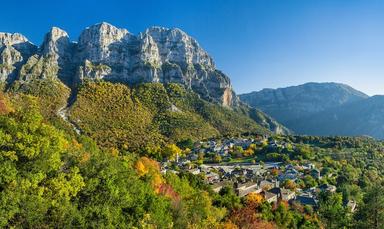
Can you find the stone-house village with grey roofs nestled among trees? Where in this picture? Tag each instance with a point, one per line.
(232, 163)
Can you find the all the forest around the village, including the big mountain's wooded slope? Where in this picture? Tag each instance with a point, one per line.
(52, 178)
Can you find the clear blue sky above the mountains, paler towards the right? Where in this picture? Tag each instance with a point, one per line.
(258, 43)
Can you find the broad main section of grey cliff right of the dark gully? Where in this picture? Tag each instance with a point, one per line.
(156, 55)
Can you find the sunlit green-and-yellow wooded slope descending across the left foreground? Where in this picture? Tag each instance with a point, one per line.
(48, 179)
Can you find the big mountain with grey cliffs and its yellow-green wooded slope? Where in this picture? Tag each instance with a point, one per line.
(185, 95)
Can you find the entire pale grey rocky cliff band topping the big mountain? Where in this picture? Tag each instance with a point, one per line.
(106, 52)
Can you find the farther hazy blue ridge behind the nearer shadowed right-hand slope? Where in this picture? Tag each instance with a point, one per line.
(291, 103)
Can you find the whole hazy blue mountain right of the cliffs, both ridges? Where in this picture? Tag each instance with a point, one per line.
(322, 109)
